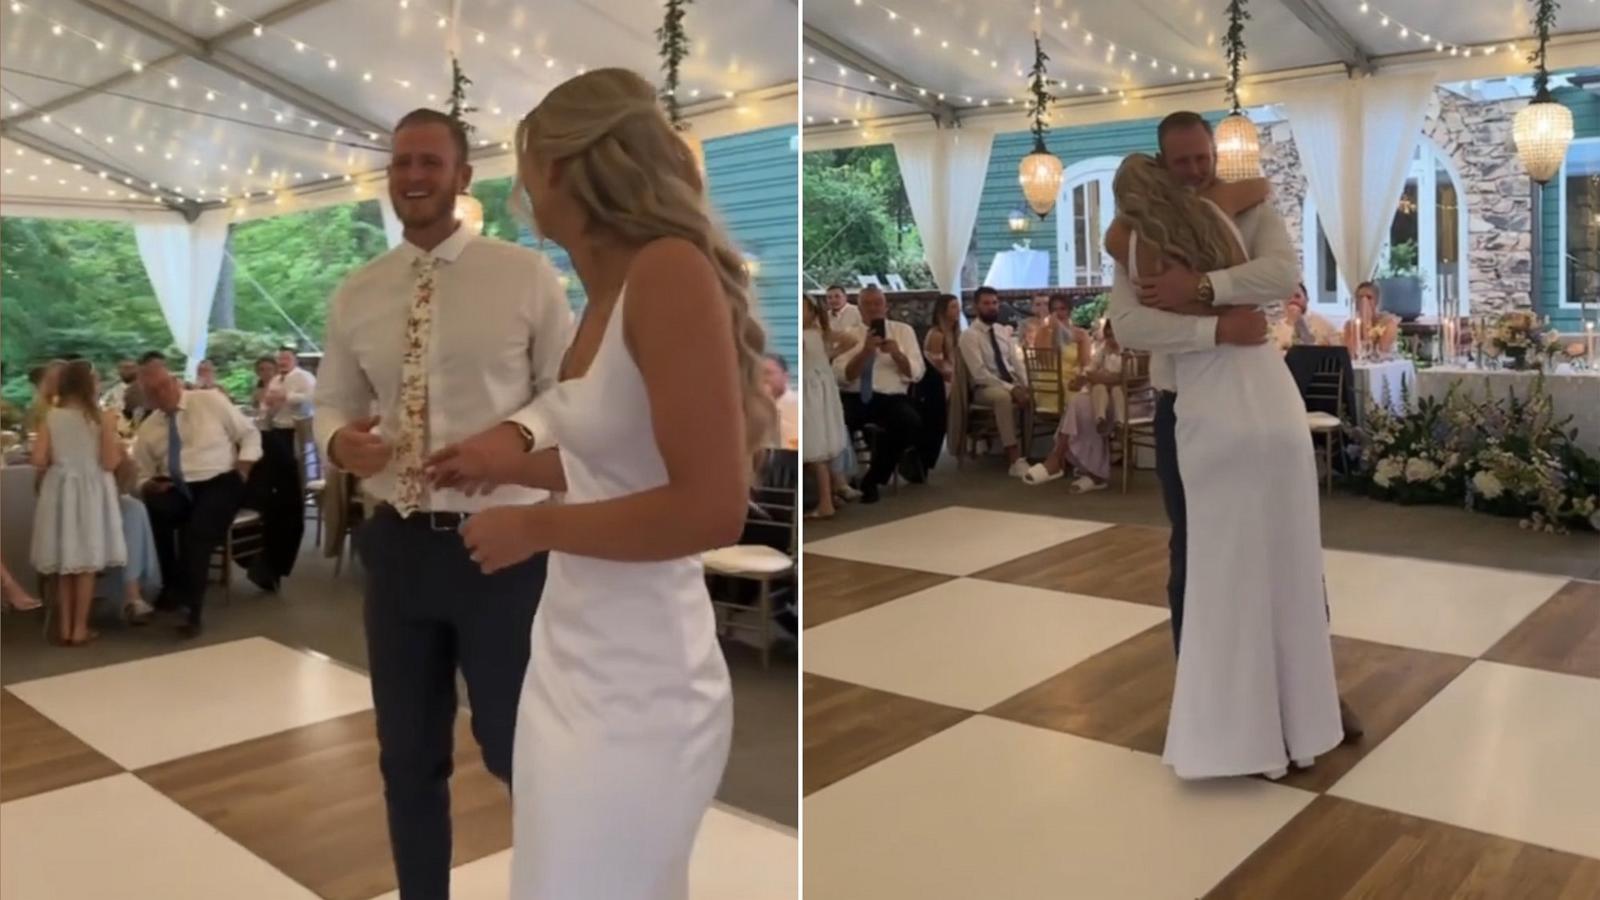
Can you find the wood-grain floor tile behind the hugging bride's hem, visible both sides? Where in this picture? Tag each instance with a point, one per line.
(1126, 694)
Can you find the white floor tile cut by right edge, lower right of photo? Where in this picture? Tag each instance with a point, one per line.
(1503, 750)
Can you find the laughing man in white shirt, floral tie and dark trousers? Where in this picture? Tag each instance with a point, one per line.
(447, 339)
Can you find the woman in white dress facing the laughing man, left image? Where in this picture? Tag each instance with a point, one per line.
(626, 712)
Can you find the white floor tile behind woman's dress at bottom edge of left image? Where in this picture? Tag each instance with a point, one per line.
(735, 859)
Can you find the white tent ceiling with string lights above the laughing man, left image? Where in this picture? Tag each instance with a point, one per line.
(186, 103)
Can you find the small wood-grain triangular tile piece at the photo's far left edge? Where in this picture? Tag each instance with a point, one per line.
(38, 755)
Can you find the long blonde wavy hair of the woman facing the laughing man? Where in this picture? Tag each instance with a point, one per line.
(636, 179)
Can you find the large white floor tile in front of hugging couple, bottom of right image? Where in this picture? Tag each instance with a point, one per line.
(998, 810)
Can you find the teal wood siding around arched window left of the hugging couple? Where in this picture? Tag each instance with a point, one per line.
(1073, 145)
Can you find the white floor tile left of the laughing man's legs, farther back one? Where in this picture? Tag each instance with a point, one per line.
(169, 707)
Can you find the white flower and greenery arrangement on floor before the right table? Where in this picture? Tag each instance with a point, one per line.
(1505, 457)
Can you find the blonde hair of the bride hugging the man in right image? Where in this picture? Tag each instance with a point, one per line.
(1170, 217)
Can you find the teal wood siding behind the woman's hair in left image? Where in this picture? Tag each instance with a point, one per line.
(756, 190)
